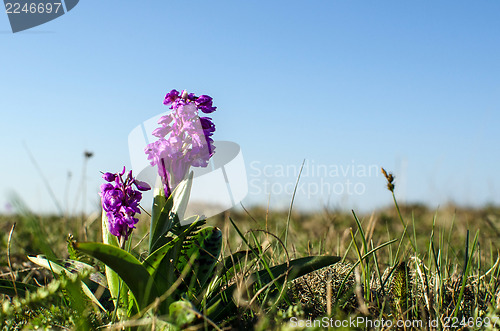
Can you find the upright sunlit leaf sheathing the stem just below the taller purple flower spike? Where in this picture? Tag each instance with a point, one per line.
(173, 208)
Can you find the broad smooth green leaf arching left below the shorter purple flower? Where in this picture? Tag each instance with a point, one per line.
(128, 268)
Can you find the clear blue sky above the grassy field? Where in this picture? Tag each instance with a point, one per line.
(409, 85)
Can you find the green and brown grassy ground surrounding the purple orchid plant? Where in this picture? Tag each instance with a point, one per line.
(439, 267)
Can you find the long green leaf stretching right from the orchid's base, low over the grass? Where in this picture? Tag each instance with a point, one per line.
(220, 306)
